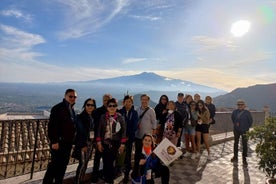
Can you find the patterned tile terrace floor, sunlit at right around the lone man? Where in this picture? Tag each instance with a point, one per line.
(217, 171)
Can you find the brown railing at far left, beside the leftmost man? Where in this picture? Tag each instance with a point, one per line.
(24, 147)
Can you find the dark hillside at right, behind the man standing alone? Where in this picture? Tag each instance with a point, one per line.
(256, 97)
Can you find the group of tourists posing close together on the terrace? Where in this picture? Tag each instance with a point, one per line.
(113, 132)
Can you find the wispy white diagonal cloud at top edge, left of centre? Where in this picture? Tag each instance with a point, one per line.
(86, 17)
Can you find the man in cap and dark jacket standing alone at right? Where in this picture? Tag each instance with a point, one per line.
(242, 121)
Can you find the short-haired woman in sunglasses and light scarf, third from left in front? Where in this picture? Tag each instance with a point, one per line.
(111, 138)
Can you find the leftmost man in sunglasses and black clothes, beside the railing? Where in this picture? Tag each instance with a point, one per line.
(61, 133)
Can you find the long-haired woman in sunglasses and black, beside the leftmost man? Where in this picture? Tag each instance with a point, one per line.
(83, 142)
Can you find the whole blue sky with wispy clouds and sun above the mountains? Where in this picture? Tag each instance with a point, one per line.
(194, 40)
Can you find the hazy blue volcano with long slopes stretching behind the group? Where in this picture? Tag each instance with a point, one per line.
(35, 97)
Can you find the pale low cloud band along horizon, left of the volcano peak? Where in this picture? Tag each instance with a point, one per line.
(38, 72)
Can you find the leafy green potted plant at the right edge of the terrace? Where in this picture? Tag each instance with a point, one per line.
(265, 136)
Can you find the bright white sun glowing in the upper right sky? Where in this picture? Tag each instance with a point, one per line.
(240, 28)
